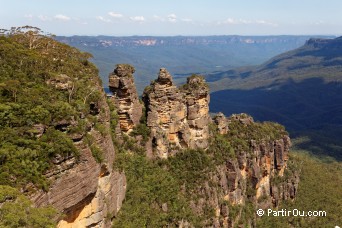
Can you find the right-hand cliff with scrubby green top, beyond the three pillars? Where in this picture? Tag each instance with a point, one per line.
(257, 174)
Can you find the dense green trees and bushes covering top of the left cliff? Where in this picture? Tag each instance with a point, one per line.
(45, 88)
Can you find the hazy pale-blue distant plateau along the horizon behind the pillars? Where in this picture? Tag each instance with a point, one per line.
(181, 55)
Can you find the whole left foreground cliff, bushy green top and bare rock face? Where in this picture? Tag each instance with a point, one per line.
(56, 146)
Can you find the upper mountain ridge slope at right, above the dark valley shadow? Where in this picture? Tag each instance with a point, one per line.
(317, 58)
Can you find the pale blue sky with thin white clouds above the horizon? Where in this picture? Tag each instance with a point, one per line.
(177, 17)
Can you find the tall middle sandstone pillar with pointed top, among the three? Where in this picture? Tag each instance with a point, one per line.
(166, 115)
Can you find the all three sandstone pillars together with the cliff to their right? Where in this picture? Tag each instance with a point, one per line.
(178, 118)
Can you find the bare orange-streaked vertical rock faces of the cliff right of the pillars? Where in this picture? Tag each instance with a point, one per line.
(254, 176)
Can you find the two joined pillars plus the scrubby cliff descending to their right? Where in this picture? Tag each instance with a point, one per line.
(241, 165)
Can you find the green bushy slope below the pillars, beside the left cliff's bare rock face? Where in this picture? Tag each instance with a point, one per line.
(149, 186)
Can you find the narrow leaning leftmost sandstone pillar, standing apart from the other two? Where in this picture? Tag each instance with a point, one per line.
(121, 84)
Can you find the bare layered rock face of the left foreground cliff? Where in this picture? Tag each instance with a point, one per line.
(88, 192)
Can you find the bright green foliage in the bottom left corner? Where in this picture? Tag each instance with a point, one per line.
(16, 211)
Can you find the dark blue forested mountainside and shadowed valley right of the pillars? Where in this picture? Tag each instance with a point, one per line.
(301, 89)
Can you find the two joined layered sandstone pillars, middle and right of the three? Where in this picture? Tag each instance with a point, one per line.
(178, 118)
